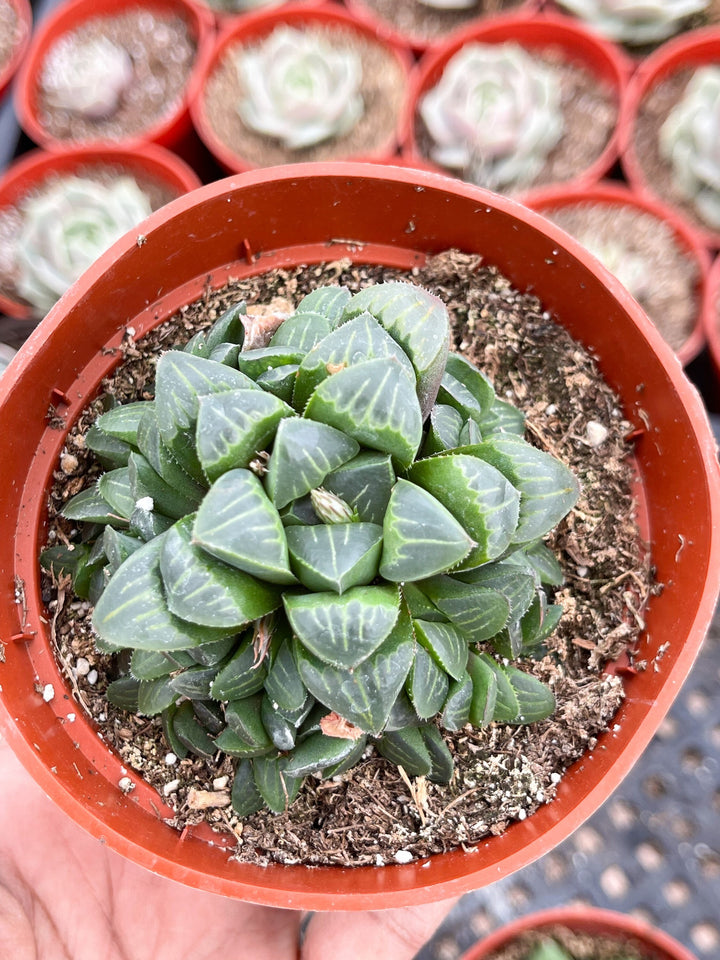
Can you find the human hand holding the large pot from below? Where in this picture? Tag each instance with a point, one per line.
(65, 896)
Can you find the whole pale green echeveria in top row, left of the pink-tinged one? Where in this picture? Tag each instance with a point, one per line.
(300, 87)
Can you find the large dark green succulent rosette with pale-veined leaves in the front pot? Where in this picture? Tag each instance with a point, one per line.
(325, 543)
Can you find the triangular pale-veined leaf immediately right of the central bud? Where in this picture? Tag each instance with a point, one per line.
(420, 536)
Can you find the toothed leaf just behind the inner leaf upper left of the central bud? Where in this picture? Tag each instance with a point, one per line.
(233, 426)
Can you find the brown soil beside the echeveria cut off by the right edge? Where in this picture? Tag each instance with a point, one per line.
(656, 171)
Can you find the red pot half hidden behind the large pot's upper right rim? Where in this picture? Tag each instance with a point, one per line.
(607, 197)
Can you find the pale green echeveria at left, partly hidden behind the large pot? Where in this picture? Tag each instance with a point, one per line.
(66, 227)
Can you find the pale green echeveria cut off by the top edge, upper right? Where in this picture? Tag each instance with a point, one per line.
(636, 22)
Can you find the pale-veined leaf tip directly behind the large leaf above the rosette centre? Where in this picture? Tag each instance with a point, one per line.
(360, 339)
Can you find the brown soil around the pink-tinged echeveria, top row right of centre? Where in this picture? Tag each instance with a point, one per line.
(590, 112)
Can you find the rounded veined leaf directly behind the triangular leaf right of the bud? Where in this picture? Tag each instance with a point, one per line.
(478, 496)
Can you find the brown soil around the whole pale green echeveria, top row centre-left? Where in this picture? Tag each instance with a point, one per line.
(383, 91)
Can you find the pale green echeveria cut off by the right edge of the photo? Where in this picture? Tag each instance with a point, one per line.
(690, 141)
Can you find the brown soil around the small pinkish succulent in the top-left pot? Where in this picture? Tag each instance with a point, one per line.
(162, 49)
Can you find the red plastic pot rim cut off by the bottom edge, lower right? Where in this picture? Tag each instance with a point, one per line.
(585, 920)
